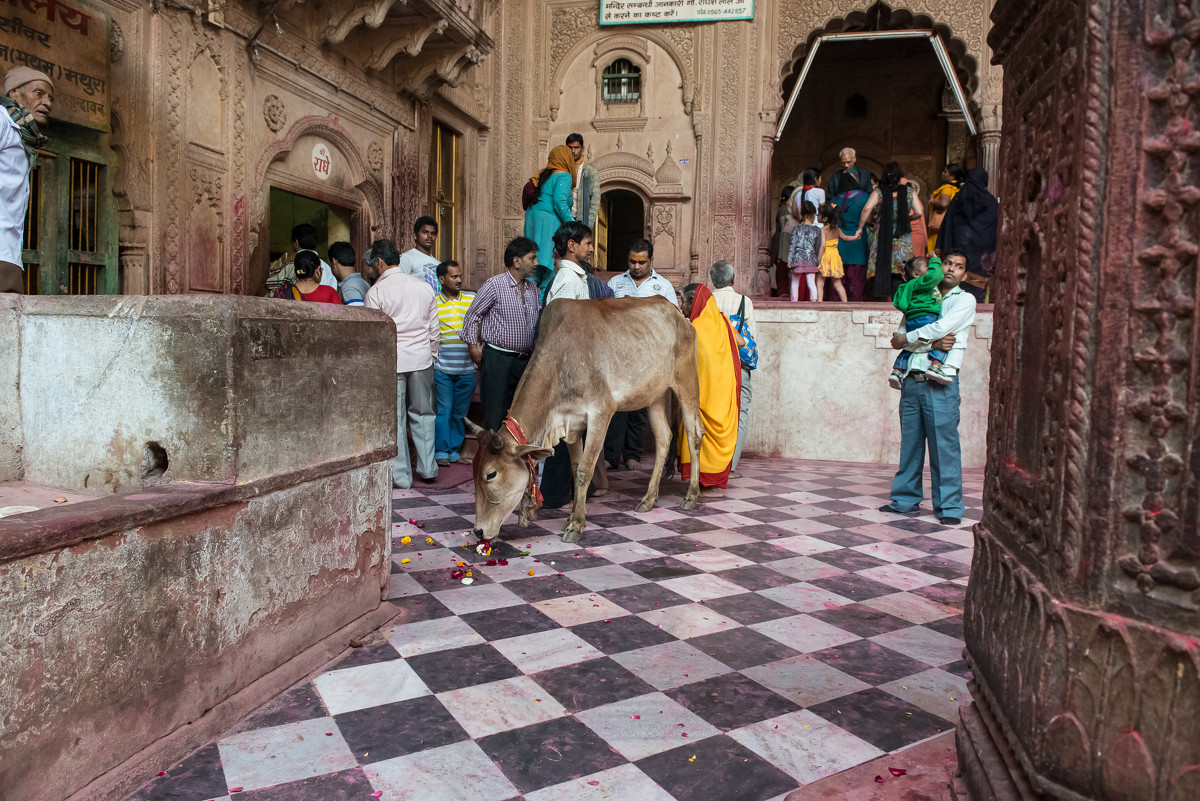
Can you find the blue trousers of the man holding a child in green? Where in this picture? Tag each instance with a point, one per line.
(929, 415)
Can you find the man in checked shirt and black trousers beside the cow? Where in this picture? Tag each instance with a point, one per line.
(500, 329)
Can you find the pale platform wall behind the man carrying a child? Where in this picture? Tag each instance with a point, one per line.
(821, 389)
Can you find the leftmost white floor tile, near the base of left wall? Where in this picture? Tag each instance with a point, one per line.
(284, 754)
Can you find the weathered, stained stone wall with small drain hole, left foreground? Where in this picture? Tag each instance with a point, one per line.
(207, 568)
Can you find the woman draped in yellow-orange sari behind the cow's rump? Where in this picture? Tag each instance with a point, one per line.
(721, 392)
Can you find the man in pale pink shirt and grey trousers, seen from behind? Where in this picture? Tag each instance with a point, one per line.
(415, 309)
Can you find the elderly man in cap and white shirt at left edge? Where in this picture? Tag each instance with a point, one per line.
(29, 97)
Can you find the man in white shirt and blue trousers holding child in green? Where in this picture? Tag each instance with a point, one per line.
(929, 412)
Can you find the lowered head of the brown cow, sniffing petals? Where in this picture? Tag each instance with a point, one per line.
(502, 478)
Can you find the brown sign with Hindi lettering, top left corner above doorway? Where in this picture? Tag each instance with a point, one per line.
(68, 41)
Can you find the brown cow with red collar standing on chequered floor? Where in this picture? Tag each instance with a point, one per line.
(593, 358)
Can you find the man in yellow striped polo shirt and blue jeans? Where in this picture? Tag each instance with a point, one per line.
(454, 374)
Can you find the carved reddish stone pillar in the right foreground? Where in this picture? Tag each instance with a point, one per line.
(1083, 615)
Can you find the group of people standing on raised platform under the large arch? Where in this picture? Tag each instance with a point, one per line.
(861, 236)
